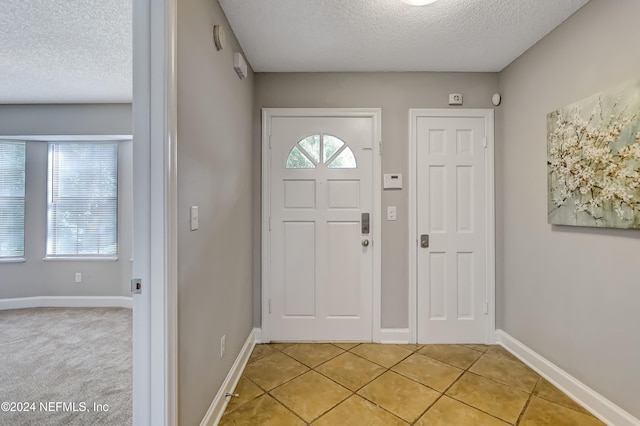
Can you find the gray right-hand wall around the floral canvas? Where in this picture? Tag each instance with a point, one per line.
(570, 294)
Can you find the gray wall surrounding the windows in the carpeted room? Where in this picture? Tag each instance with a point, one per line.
(36, 277)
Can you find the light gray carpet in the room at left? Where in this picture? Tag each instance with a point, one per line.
(65, 366)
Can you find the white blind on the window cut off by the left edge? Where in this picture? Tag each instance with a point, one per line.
(12, 178)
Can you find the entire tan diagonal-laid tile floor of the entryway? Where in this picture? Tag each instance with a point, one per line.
(340, 384)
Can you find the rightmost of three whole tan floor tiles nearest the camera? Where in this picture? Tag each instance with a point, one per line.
(491, 397)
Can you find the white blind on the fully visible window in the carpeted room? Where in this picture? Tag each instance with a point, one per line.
(82, 201)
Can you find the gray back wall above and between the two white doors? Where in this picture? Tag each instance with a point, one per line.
(395, 93)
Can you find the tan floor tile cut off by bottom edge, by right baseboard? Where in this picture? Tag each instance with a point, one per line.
(540, 412)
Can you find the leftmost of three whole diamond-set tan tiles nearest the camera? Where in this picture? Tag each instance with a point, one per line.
(310, 395)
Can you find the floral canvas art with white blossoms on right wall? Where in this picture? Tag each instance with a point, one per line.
(593, 149)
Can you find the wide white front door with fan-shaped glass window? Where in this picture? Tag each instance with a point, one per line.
(320, 268)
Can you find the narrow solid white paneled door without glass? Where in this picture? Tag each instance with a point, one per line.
(452, 230)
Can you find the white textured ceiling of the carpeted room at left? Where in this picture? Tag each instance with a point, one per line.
(65, 51)
